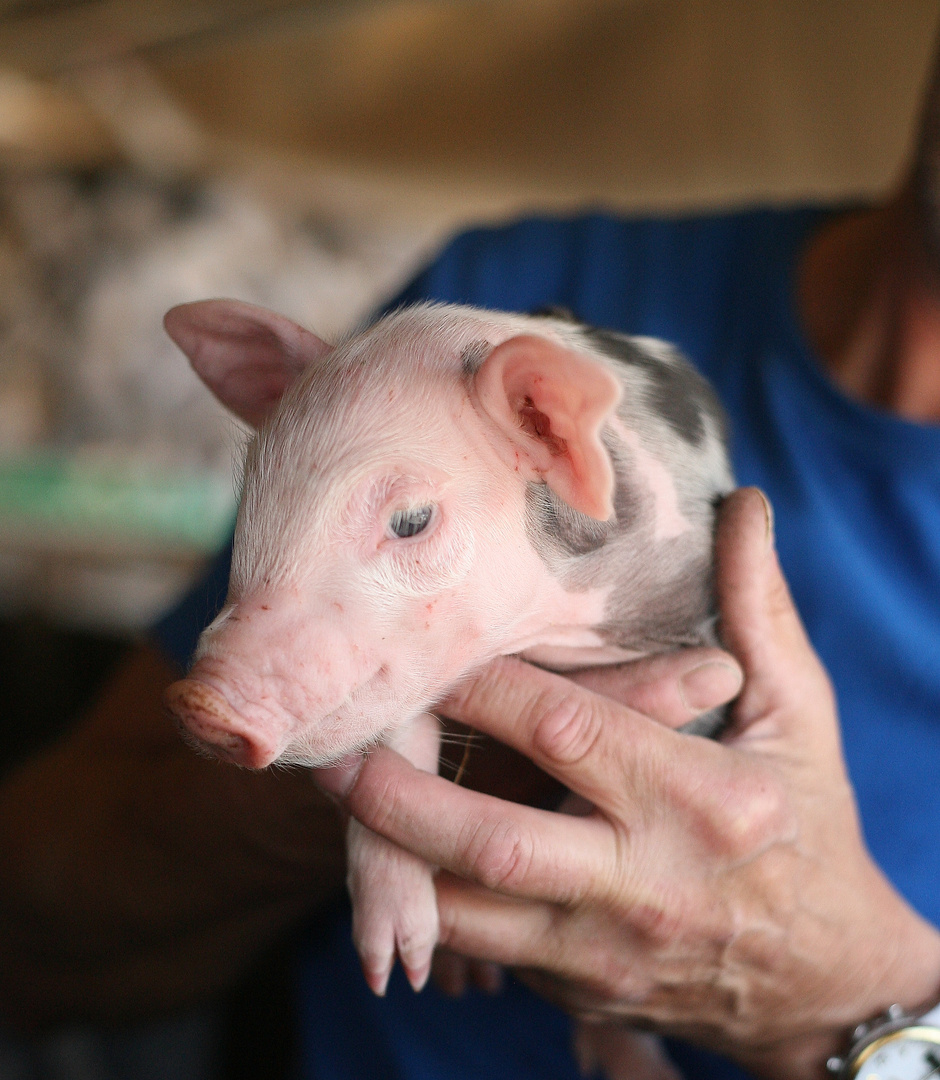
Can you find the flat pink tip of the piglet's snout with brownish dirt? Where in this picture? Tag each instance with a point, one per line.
(216, 726)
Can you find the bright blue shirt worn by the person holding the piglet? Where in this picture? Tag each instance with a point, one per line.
(857, 495)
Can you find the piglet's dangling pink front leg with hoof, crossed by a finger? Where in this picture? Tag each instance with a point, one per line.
(395, 911)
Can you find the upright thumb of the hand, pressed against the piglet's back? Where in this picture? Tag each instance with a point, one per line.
(785, 682)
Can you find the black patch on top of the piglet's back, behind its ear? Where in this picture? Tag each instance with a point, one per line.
(678, 393)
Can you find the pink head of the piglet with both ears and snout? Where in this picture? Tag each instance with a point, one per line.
(386, 543)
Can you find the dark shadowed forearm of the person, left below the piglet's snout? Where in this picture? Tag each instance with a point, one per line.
(137, 876)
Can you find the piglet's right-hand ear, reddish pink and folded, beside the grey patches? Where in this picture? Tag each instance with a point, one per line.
(552, 403)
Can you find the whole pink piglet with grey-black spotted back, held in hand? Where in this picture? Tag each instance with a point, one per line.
(445, 488)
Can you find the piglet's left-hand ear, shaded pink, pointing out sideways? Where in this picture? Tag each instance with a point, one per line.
(248, 357)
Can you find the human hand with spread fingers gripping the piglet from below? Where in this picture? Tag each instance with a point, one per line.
(718, 892)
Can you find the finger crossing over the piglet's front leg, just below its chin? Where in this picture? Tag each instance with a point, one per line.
(504, 846)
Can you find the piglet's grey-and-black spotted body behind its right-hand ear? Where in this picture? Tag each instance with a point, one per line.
(662, 597)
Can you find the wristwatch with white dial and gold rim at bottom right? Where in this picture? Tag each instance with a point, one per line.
(896, 1046)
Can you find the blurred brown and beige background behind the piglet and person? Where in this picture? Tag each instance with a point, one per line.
(310, 156)
